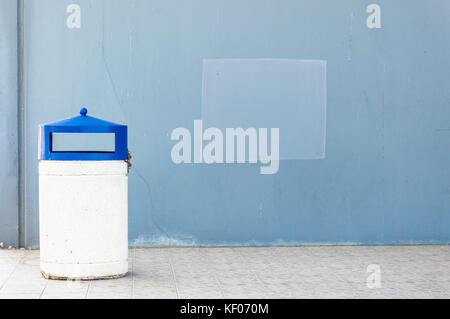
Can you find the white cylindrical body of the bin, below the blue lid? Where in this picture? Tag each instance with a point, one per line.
(83, 219)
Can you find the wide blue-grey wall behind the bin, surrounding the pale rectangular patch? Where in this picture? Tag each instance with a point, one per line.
(386, 174)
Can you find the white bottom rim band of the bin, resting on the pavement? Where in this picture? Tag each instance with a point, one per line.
(57, 271)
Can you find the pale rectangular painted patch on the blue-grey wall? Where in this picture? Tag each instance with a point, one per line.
(269, 93)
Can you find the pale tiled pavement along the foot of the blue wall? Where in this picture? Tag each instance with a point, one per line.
(247, 272)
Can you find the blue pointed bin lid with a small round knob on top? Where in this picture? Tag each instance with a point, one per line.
(82, 124)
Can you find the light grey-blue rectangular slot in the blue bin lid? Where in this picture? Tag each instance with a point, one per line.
(83, 142)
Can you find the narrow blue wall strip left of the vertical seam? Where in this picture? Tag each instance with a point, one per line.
(9, 178)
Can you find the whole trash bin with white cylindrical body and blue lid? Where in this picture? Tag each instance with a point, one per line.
(83, 202)
